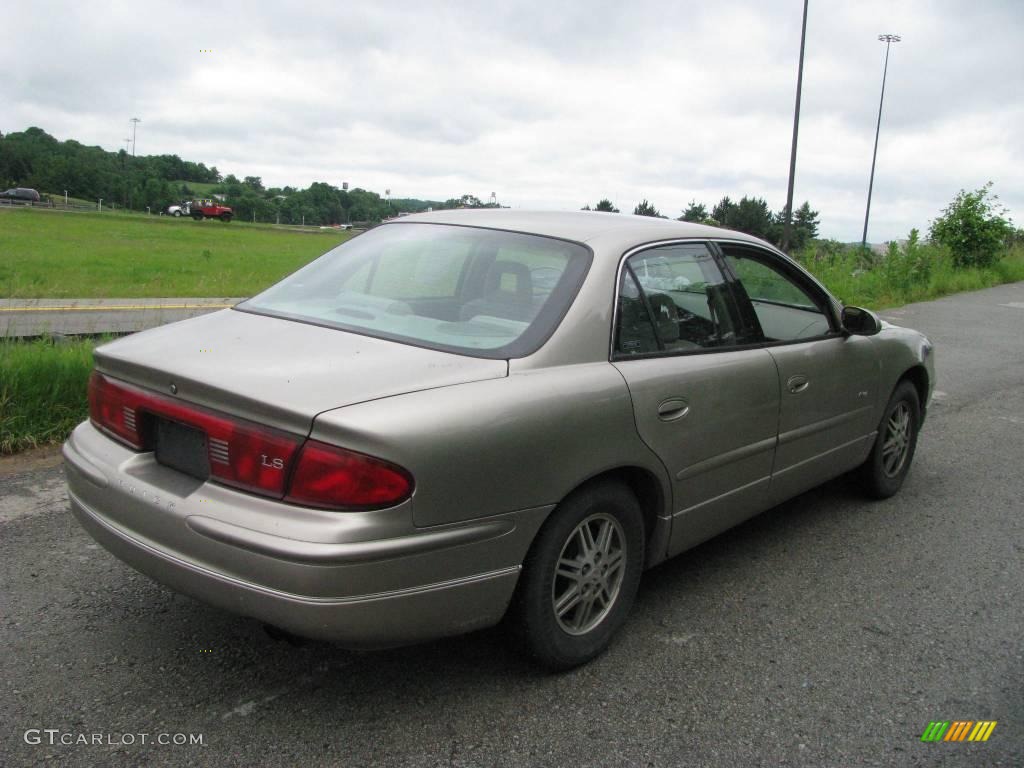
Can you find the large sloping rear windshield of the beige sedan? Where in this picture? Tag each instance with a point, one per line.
(460, 289)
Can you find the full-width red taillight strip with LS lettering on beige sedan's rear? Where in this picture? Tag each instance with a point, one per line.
(251, 457)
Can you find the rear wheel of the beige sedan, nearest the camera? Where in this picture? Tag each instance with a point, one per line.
(581, 576)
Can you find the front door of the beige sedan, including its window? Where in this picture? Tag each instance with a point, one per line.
(829, 380)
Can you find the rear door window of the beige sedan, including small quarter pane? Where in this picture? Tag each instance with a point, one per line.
(674, 300)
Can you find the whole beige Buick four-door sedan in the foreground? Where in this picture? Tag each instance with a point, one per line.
(463, 415)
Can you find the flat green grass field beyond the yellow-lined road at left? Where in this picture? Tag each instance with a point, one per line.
(55, 254)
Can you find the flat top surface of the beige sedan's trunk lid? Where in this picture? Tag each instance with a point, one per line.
(280, 373)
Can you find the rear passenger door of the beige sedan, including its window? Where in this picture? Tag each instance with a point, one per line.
(706, 406)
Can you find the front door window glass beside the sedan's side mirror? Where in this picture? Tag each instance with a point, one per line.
(785, 310)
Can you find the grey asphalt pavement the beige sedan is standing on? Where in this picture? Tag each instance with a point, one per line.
(827, 632)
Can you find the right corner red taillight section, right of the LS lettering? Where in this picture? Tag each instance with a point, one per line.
(333, 478)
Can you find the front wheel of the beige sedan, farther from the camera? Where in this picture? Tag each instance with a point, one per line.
(886, 468)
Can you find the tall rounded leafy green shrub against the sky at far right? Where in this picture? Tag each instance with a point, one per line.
(973, 229)
